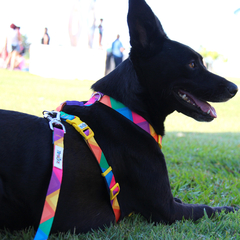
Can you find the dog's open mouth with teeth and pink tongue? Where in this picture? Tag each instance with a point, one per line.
(202, 107)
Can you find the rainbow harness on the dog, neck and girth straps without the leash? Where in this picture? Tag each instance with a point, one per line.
(88, 134)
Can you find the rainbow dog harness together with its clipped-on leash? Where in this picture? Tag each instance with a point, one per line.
(88, 135)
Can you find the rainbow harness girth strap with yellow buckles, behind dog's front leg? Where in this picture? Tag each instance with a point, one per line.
(88, 135)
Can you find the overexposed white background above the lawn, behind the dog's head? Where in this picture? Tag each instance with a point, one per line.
(77, 51)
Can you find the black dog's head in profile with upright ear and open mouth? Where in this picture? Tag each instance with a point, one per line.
(172, 73)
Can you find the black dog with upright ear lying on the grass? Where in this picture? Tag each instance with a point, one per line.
(159, 77)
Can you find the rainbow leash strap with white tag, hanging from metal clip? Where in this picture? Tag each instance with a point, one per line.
(53, 191)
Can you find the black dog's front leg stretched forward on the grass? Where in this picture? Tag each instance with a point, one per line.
(158, 203)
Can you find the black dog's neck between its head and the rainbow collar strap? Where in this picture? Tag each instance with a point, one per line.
(122, 84)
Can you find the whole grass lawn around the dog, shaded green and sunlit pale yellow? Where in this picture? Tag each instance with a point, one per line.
(203, 160)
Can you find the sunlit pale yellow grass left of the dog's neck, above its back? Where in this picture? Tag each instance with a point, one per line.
(23, 92)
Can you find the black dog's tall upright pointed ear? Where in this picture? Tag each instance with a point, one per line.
(146, 32)
